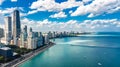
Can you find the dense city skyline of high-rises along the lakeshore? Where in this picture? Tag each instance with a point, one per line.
(27, 40)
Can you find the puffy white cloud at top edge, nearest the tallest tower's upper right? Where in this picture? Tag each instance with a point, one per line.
(51, 5)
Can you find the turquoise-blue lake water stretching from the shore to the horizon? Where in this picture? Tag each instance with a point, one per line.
(63, 54)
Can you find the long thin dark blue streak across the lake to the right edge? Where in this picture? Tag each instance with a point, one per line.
(94, 46)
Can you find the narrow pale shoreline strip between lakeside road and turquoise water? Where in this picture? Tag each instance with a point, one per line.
(40, 50)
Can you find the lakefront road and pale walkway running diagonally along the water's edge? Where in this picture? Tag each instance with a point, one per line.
(23, 58)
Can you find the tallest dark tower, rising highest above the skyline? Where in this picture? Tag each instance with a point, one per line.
(16, 26)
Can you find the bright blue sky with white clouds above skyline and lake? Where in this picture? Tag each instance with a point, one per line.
(65, 15)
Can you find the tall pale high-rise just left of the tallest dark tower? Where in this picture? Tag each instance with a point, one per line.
(8, 29)
